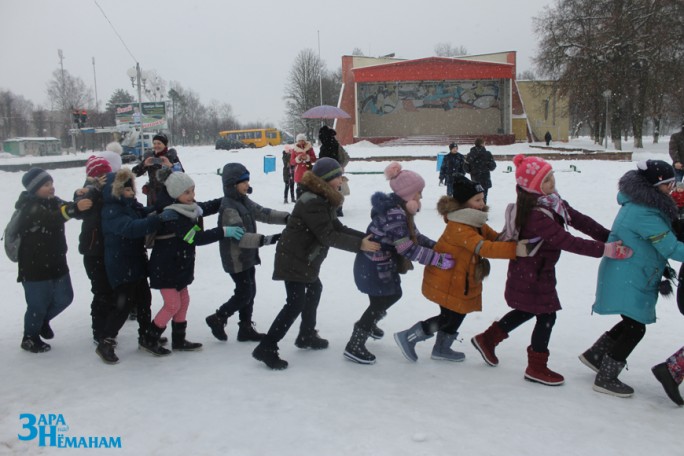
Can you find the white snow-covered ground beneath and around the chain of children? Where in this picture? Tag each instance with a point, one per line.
(221, 401)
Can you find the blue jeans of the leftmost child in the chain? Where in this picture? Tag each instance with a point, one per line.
(45, 300)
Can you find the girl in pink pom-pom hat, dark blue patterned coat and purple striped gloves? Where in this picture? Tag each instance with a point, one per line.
(377, 273)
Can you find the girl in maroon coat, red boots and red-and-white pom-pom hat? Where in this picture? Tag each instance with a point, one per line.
(531, 283)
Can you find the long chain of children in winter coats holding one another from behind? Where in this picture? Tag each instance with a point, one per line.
(634, 254)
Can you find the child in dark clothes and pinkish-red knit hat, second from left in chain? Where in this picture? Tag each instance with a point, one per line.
(91, 244)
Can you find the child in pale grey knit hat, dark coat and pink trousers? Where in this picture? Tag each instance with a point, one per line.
(172, 262)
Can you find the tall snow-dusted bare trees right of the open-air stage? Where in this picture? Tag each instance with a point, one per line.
(611, 47)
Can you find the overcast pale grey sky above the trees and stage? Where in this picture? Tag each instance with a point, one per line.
(240, 52)
